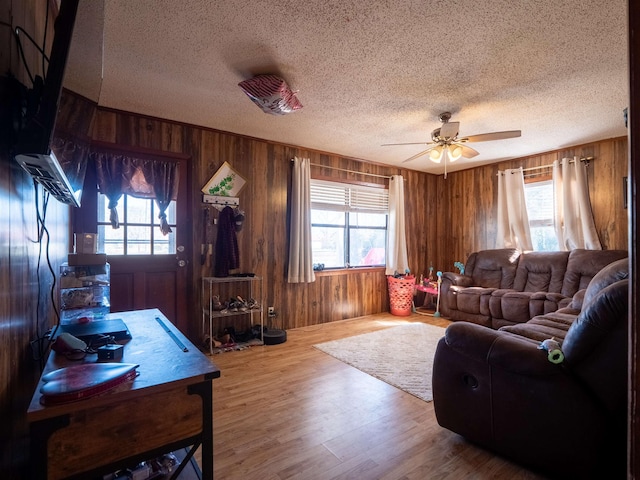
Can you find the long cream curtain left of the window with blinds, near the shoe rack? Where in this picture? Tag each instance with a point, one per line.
(300, 254)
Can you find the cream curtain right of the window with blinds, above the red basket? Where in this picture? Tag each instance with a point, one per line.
(396, 238)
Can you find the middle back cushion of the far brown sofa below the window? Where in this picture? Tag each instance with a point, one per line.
(541, 272)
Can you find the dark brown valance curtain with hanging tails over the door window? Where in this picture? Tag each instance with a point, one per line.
(120, 174)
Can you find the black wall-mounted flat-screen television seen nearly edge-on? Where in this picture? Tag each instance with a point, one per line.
(55, 166)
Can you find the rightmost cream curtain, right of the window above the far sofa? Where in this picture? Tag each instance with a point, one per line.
(574, 223)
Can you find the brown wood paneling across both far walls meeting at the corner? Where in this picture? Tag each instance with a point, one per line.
(446, 218)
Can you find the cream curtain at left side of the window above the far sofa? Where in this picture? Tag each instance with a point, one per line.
(513, 221)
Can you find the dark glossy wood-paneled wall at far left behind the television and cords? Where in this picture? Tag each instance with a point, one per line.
(29, 263)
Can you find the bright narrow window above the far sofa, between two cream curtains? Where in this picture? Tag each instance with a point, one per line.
(539, 199)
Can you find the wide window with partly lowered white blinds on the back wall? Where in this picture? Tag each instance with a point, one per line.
(348, 224)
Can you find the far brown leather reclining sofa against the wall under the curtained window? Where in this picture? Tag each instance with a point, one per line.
(505, 287)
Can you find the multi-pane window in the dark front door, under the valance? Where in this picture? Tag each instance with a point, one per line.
(139, 232)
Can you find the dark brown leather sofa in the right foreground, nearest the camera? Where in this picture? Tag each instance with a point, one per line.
(500, 390)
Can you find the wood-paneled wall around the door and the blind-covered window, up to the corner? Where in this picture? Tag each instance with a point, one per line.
(263, 241)
